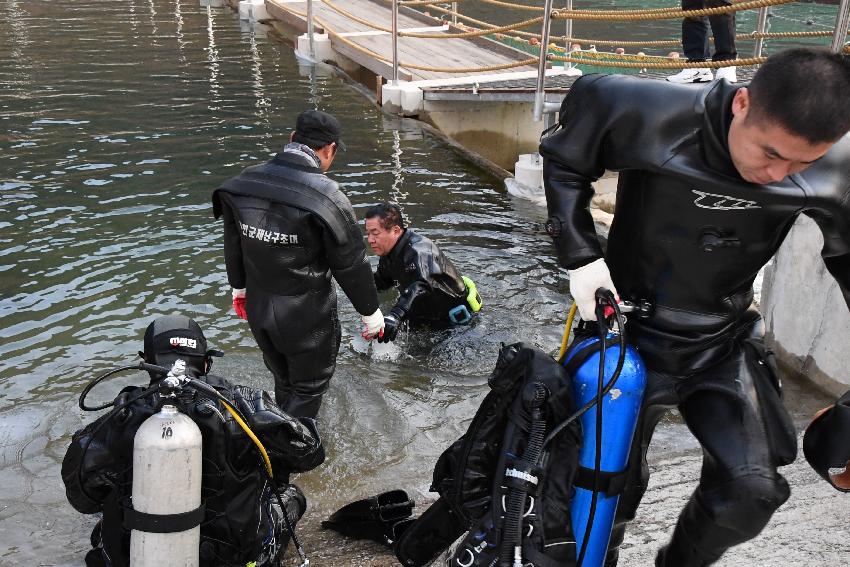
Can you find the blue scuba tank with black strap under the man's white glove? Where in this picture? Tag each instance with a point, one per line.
(620, 408)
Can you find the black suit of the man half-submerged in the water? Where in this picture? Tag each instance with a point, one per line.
(429, 284)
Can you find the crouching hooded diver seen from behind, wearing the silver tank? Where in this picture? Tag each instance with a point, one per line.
(248, 507)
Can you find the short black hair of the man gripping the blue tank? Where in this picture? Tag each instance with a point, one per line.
(805, 91)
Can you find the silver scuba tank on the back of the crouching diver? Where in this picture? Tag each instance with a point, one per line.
(166, 490)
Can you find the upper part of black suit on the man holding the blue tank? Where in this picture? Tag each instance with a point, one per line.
(689, 234)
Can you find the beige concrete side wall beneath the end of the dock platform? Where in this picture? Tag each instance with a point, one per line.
(498, 131)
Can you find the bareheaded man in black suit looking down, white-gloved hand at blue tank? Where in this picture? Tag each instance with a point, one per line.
(712, 177)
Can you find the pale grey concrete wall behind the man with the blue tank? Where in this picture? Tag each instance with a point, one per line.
(807, 319)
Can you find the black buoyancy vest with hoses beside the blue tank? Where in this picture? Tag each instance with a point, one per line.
(497, 482)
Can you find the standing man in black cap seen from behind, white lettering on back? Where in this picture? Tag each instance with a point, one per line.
(287, 229)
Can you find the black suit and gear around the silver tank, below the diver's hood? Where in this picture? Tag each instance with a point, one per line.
(241, 522)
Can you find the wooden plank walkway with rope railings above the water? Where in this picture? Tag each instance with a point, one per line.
(347, 35)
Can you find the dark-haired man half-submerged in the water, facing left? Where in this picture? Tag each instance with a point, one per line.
(432, 290)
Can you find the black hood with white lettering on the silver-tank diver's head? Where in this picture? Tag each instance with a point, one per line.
(176, 336)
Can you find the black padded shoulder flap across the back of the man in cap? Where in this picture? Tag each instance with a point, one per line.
(293, 194)
